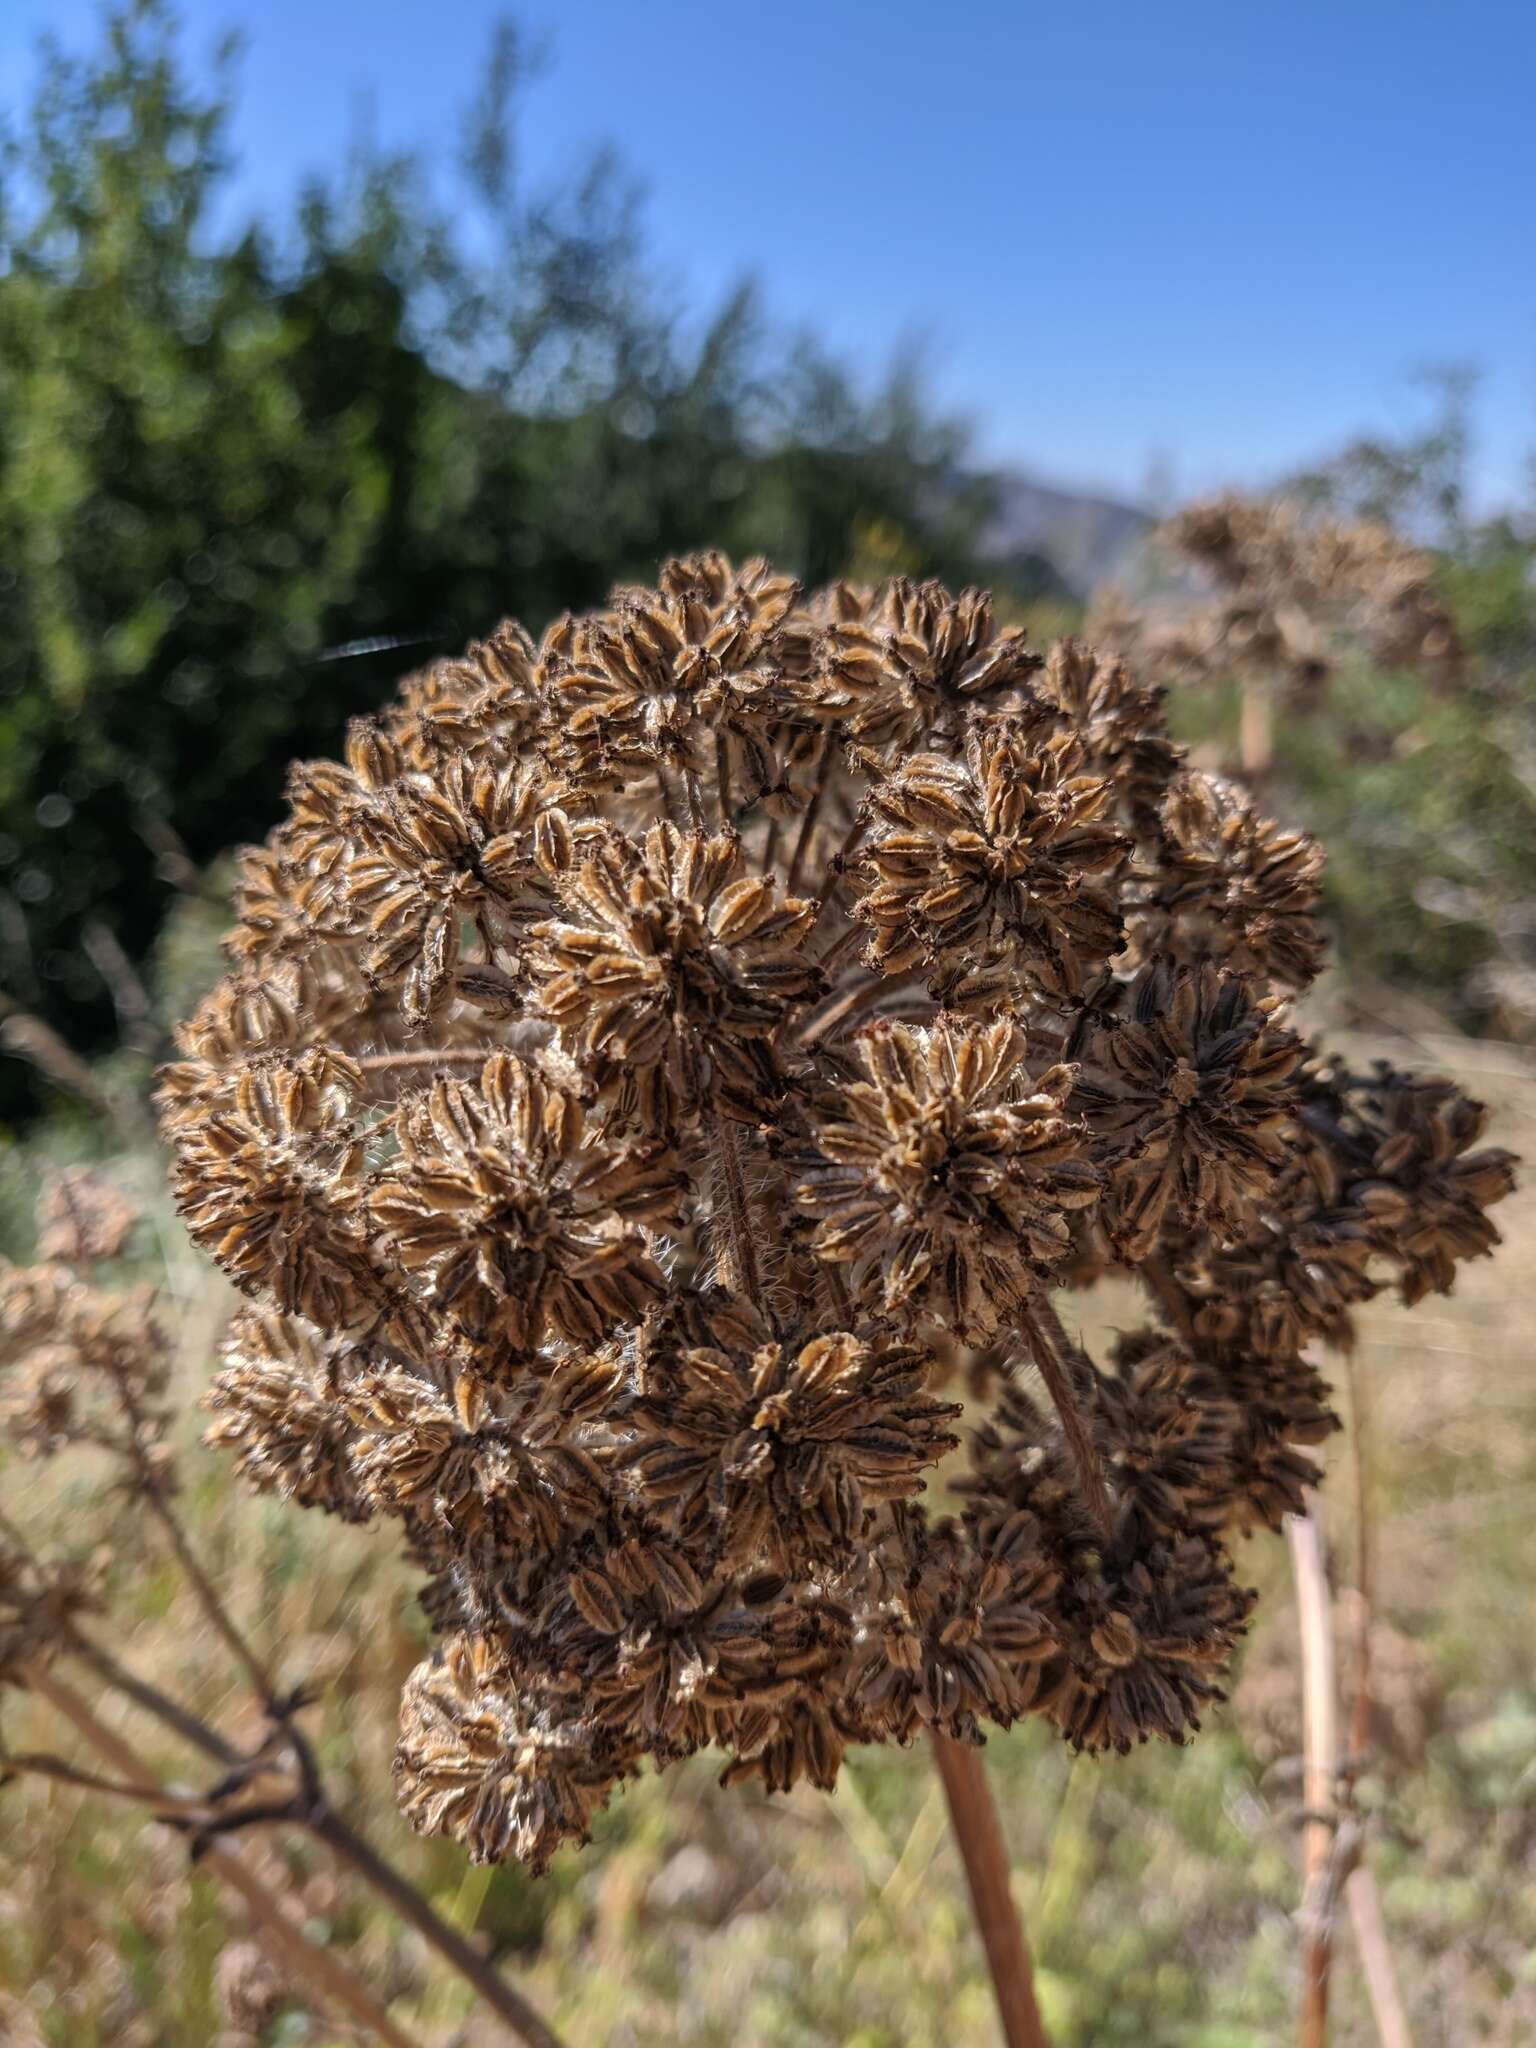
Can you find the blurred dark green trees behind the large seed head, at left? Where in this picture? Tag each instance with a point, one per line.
(226, 456)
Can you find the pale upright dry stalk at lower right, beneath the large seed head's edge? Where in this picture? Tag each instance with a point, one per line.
(1320, 1770)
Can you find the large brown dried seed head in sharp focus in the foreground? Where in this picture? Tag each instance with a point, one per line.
(663, 1064)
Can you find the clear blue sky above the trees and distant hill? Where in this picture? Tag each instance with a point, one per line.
(1203, 237)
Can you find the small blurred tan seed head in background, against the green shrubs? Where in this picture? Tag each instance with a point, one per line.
(1289, 591)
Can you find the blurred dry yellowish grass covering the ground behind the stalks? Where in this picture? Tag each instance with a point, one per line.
(1158, 1891)
